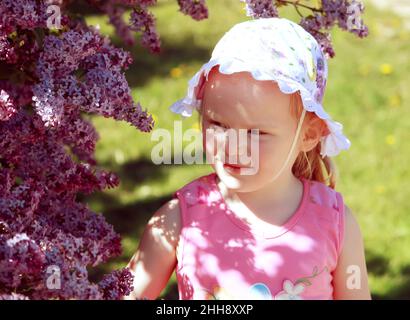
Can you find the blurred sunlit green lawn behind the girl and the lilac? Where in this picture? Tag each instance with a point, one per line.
(374, 108)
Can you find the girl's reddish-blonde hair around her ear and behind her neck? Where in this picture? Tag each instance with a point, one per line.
(310, 165)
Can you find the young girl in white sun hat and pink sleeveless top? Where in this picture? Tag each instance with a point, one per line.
(283, 232)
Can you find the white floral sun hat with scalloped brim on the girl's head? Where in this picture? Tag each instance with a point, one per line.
(274, 49)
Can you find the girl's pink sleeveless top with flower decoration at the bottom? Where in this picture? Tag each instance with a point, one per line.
(222, 256)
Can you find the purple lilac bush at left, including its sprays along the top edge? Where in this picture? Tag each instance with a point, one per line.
(52, 76)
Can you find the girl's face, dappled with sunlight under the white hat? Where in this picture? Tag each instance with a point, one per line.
(238, 101)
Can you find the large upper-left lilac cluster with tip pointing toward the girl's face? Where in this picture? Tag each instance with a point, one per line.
(100, 87)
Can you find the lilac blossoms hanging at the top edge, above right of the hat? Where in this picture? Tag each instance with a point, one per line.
(346, 14)
